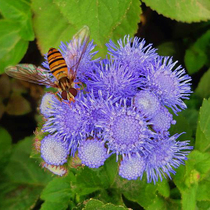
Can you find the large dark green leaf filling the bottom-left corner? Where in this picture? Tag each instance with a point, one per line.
(22, 180)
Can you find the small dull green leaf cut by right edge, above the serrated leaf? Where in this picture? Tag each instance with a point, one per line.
(203, 89)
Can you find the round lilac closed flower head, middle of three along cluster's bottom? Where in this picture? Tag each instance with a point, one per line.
(92, 152)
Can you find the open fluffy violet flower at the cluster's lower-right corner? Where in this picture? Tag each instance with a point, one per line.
(166, 155)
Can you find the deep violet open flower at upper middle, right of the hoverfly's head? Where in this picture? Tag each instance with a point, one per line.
(114, 78)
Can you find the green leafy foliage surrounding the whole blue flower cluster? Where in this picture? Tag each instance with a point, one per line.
(24, 184)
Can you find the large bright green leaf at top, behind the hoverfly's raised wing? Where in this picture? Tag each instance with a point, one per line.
(106, 20)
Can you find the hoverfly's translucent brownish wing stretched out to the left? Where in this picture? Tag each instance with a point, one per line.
(30, 73)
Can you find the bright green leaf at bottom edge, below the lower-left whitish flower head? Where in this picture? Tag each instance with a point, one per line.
(58, 192)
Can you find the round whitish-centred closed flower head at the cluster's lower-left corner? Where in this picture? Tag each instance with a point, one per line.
(54, 150)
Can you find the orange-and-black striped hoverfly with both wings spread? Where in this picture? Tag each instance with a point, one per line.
(59, 76)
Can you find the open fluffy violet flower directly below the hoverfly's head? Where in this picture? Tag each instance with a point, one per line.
(69, 122)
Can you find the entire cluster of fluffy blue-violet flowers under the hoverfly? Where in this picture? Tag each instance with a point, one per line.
(124, 111)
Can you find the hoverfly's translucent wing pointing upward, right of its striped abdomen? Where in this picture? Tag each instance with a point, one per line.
(77, 47)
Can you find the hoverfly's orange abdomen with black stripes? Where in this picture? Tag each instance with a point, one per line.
(57, 64)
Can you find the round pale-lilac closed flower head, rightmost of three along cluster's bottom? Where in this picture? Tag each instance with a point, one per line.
(132, 167)
